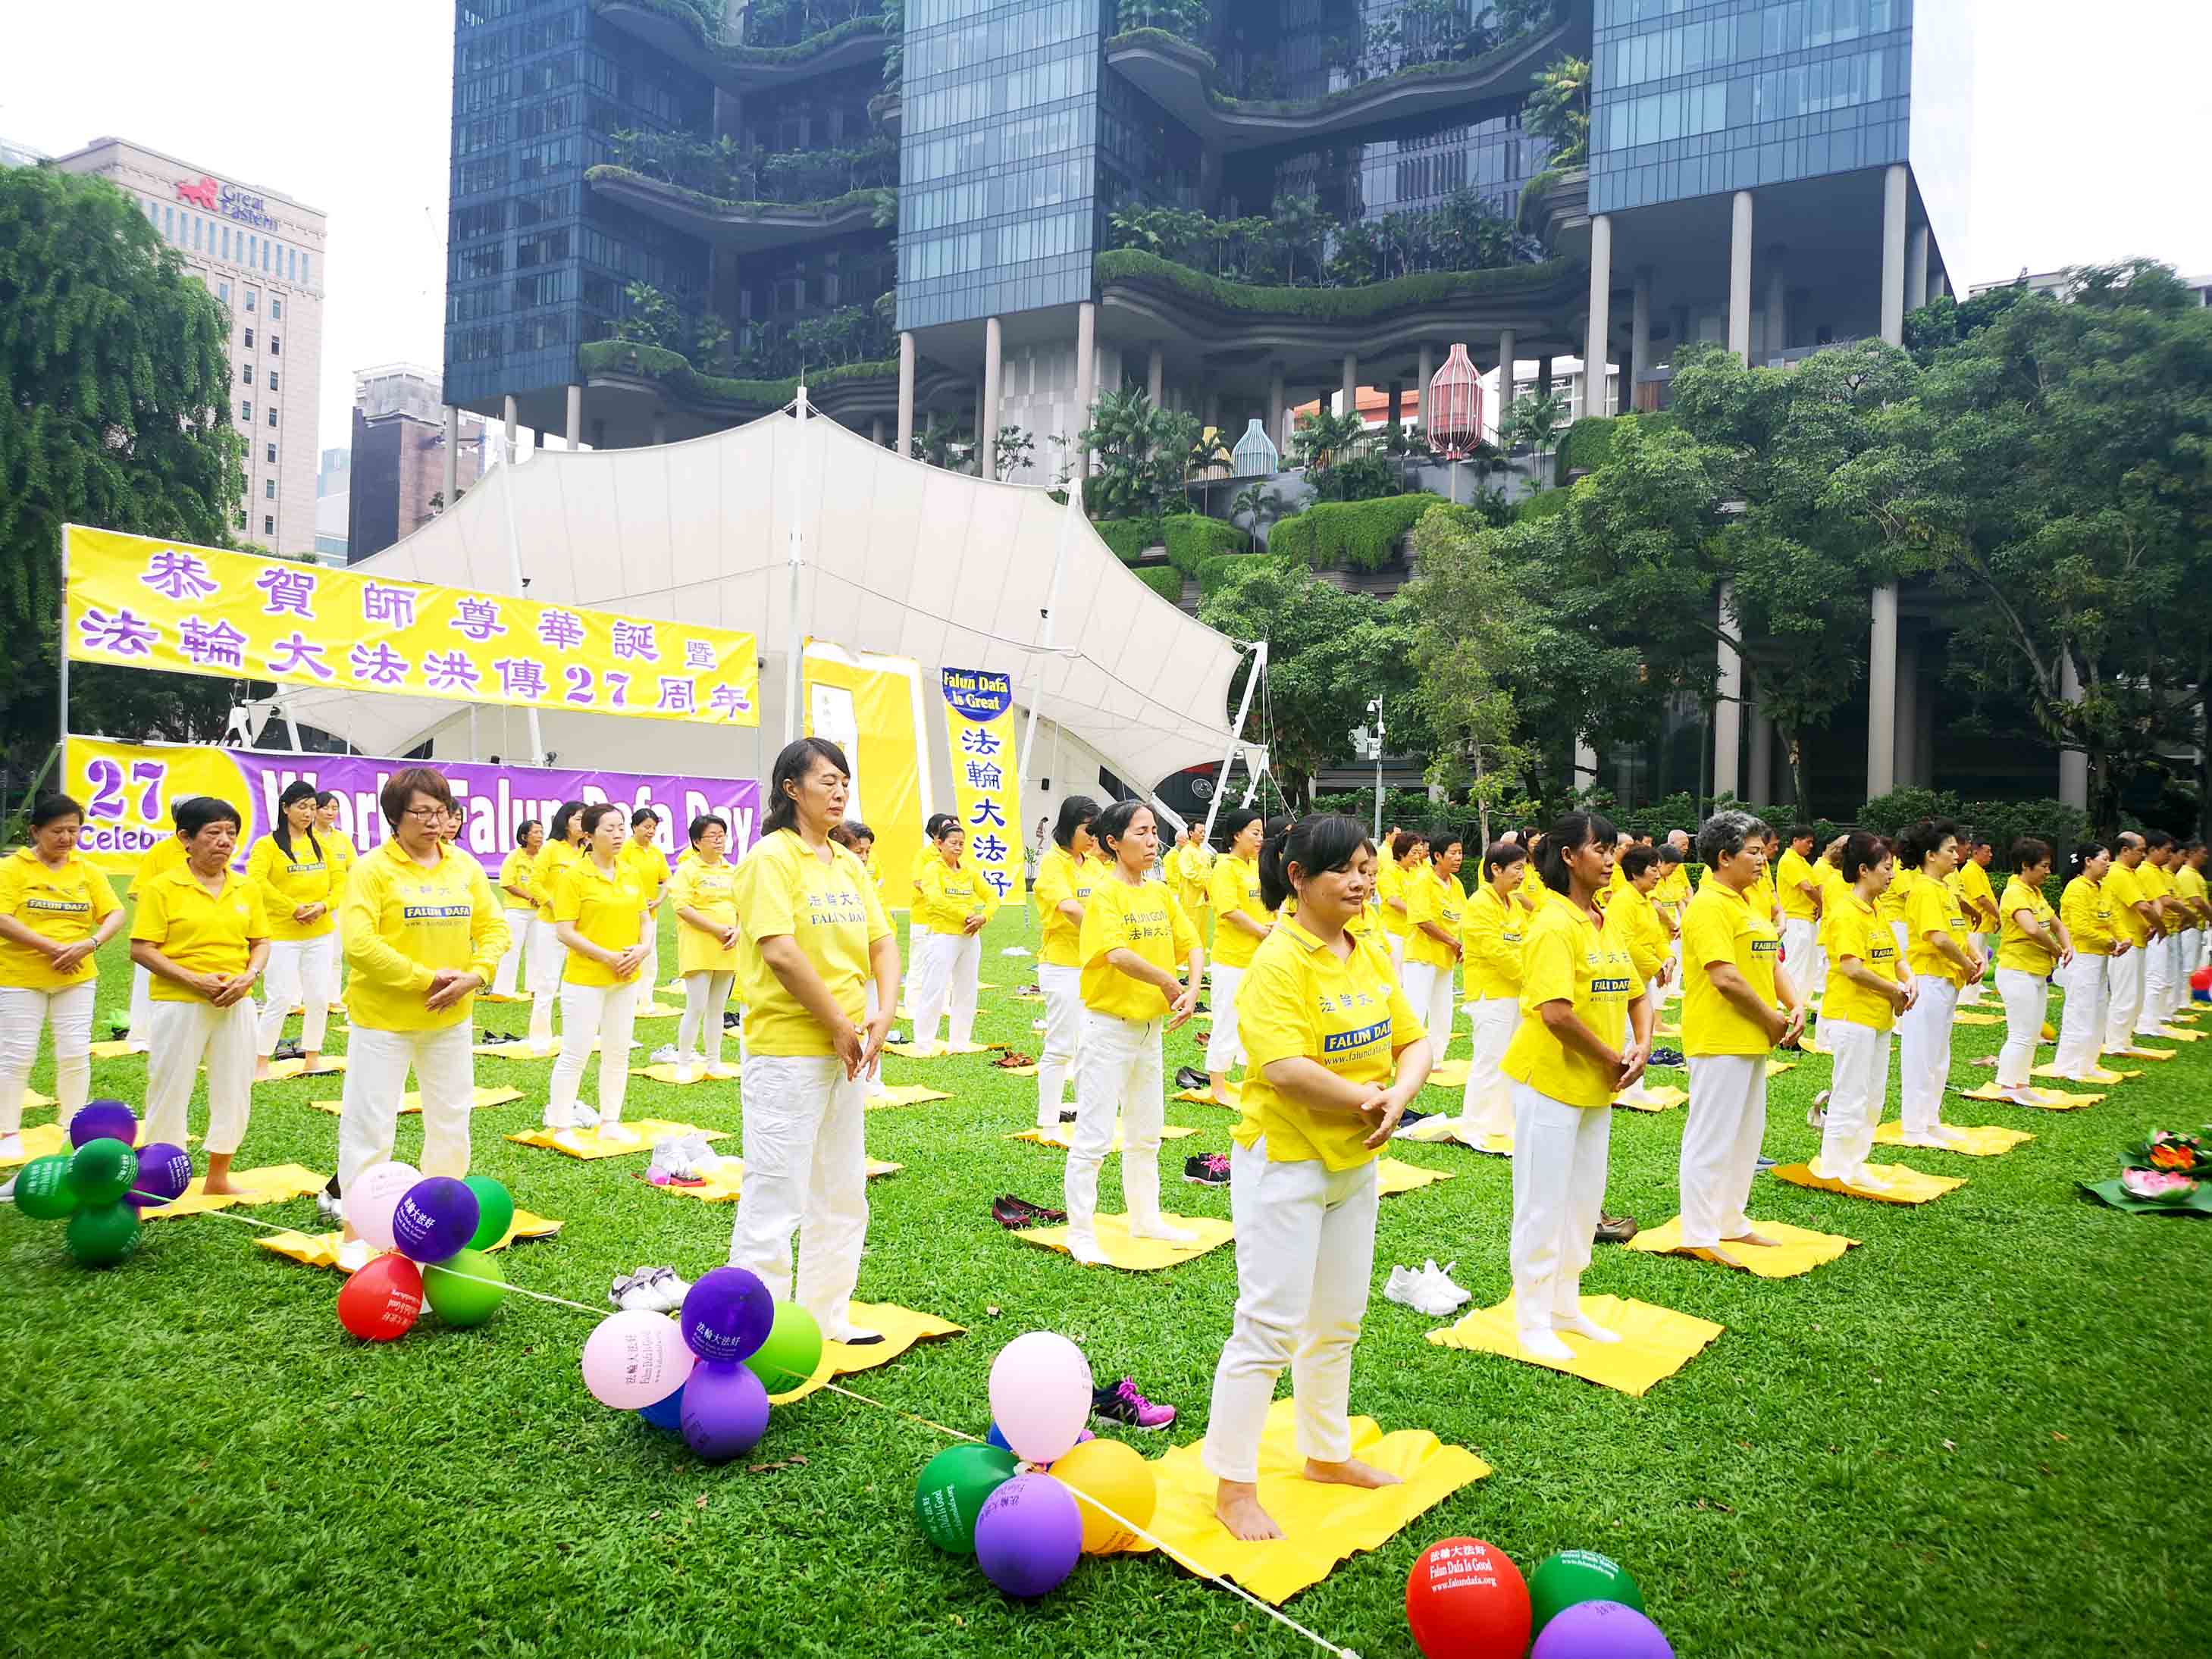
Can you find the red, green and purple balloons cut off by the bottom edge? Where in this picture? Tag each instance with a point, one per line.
(1470, 1603)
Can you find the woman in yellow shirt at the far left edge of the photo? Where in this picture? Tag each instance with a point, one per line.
(54, 915)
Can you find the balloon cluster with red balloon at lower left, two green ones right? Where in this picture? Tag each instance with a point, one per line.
(435, 1235)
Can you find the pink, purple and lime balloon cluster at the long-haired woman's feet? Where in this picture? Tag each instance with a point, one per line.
(709, 1373)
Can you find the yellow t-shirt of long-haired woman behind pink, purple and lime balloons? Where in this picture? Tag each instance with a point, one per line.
(835, 917)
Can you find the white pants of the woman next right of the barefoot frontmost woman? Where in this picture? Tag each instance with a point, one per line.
(1558, 1193)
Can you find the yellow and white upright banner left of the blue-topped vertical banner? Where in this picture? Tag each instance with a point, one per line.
(873, 709)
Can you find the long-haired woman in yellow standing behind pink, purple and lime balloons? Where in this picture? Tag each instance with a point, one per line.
(815, 935)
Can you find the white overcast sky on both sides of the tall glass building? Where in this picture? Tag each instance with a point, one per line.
(2083, 136)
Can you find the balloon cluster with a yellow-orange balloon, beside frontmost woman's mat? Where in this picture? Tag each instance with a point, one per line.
(1041, 1492)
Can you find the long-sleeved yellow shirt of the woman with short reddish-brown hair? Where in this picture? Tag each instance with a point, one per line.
(401, 924)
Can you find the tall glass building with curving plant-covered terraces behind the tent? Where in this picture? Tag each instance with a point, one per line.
(943, 227)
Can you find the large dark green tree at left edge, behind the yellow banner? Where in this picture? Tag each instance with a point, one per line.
(114, 413)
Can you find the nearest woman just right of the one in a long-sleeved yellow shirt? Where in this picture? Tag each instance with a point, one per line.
(598, 915)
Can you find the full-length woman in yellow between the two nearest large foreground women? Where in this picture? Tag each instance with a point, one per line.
(1131, 943)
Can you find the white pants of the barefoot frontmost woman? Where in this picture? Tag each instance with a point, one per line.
(1306, 1249)
